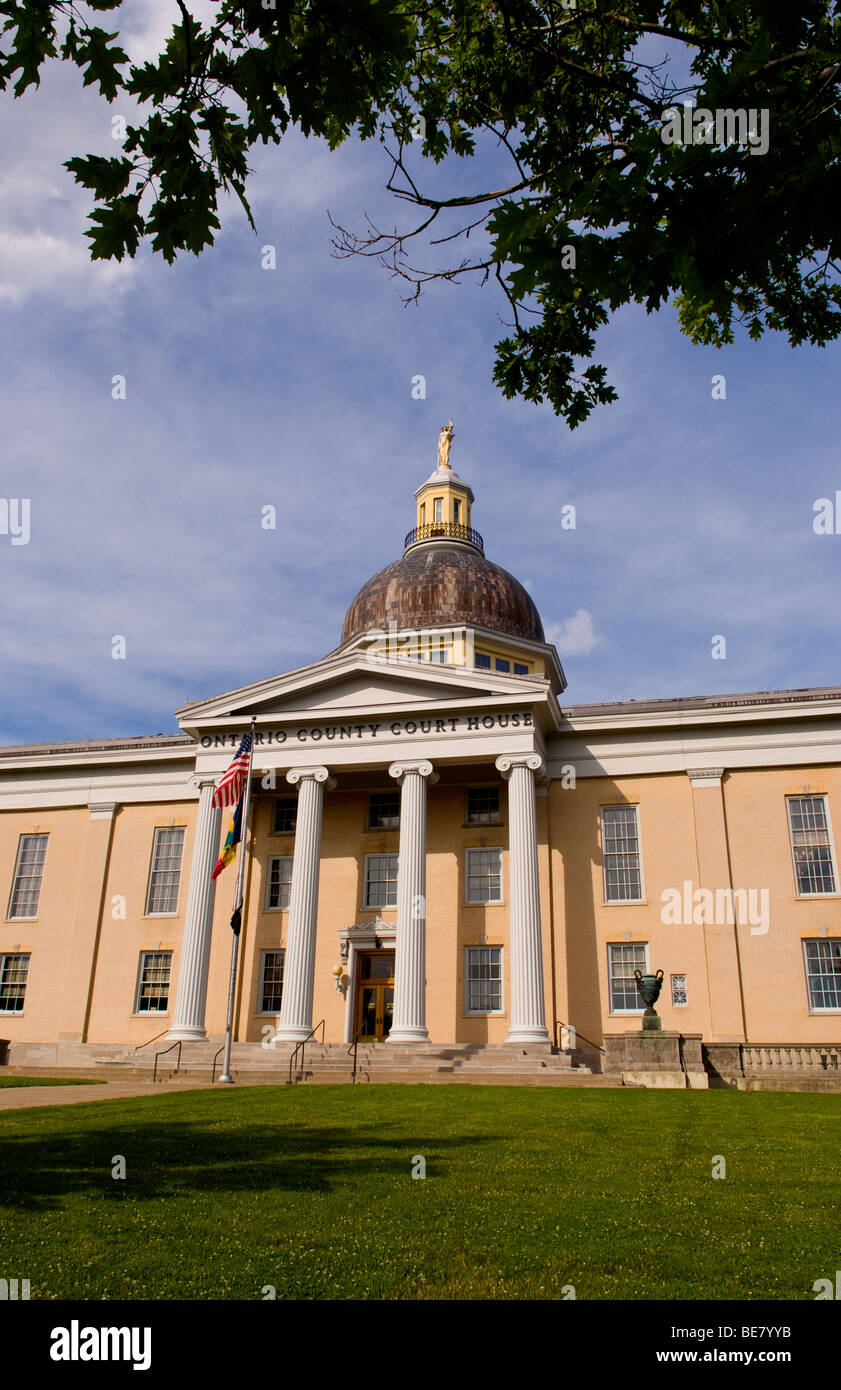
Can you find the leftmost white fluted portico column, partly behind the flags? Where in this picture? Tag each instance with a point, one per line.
(191, 999)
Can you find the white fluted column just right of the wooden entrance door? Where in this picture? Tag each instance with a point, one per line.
(411, 949)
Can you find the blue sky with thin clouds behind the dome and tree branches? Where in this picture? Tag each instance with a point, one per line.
(294, 389)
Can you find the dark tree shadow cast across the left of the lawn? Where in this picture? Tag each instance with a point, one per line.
(181, 1157)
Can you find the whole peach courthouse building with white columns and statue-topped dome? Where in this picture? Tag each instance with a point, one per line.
(439, 849)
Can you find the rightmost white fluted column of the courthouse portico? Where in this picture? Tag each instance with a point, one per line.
(528, 1011)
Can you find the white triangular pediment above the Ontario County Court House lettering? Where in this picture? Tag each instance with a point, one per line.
(355, 685)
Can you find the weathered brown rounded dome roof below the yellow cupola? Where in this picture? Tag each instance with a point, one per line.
(443, 587)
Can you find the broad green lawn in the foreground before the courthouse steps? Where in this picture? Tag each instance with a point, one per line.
(528, 1191)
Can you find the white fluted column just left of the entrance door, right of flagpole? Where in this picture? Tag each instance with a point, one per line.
(300, 964)
